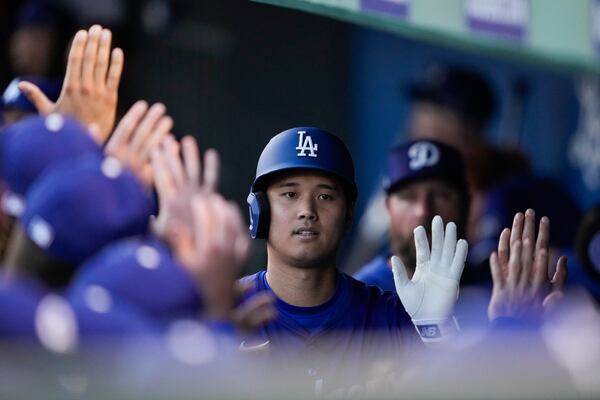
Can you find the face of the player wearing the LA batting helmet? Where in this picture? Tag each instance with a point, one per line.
(309, 216)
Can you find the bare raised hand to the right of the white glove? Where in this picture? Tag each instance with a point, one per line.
(520, 271)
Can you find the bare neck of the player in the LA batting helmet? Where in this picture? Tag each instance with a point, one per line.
(300, 286)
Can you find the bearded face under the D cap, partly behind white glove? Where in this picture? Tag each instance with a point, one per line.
(414, 204)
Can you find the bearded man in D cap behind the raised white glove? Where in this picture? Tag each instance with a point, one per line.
(424, 178)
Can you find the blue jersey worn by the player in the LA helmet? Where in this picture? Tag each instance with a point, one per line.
(359, 323)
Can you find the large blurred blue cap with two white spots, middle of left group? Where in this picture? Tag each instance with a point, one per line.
(79, 206)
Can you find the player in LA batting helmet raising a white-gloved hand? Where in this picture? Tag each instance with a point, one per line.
(302, 202)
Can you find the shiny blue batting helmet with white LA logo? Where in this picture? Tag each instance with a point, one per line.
(293, 149)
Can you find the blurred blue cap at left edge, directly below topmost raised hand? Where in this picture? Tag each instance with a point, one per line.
(30, 146)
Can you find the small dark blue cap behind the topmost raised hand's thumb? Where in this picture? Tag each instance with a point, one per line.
(14, 98)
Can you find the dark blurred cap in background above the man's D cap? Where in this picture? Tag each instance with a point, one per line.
(463, 91)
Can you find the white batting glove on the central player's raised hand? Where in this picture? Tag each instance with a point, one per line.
(429, 297)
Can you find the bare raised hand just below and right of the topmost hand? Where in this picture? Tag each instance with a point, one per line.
(138, 133)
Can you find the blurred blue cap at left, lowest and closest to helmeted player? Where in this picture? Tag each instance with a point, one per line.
(143, 273)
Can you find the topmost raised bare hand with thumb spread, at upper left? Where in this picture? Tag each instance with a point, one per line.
(91, 84)
